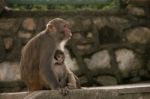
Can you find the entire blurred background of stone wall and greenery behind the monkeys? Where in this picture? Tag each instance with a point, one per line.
(110, 43)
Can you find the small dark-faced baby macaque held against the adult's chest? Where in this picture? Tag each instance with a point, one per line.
(65, 77)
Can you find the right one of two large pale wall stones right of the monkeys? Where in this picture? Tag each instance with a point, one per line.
(128, 62)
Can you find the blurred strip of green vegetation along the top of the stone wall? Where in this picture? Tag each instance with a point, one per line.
(65, 7)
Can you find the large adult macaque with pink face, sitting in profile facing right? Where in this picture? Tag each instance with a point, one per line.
(37, 60)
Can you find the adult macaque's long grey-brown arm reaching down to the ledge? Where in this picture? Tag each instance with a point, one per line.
(46, 58)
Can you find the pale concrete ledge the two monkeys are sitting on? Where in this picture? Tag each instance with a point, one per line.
(138, 91)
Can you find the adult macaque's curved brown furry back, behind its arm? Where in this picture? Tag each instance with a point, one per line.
(30, 58)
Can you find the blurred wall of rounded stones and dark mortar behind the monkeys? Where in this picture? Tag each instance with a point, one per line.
(106, 48)
